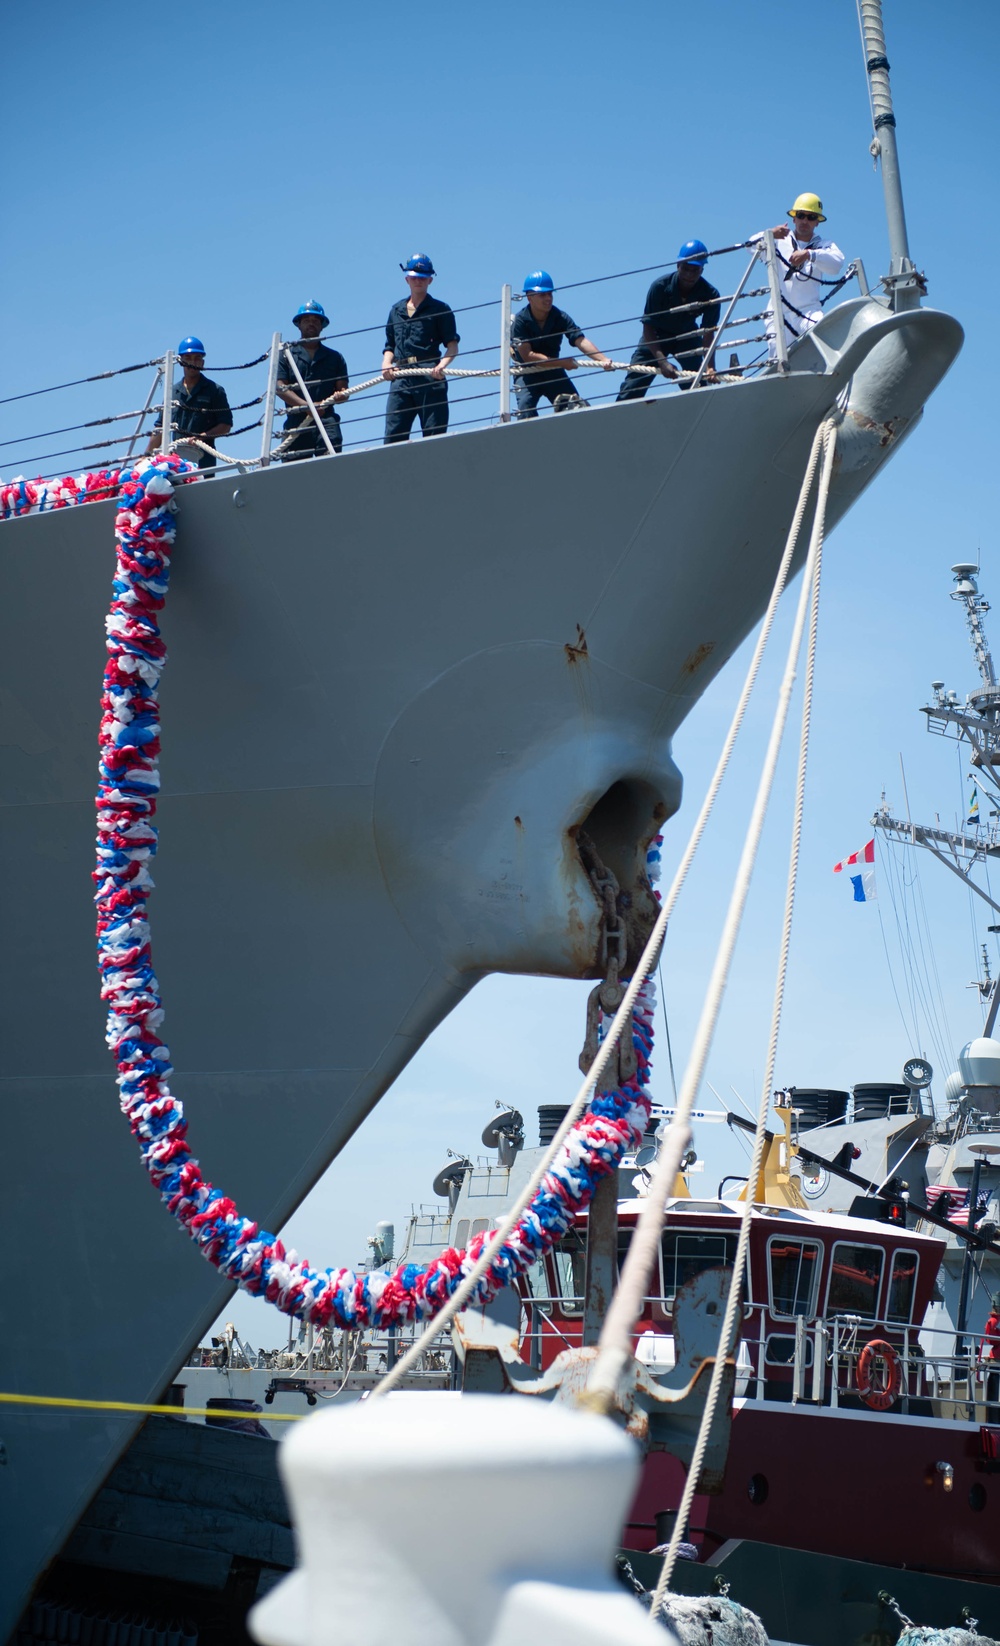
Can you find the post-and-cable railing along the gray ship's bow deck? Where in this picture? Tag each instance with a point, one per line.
(116, 424)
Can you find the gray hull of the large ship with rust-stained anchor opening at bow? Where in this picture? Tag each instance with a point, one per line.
(397, 687)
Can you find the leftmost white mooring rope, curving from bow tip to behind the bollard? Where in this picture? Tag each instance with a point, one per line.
(646, 967)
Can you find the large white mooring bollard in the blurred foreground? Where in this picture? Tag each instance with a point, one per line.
(456, 1520)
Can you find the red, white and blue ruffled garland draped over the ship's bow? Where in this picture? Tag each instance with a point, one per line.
(126, 845)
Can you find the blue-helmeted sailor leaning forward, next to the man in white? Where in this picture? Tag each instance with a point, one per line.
(680, 319)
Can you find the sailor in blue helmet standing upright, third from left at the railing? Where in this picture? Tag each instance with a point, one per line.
(415, 333)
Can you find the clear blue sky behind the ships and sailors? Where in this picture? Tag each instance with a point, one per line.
(208, 172)
